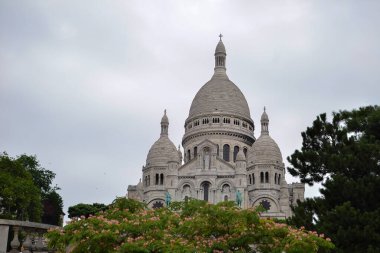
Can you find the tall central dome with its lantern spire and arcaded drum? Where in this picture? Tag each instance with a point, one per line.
(219, 109)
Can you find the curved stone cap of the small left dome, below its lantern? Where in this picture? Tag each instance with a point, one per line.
(162, 152)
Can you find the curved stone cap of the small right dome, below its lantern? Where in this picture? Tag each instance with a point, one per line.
(264, 151)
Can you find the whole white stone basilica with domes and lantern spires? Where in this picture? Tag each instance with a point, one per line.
(222, 159)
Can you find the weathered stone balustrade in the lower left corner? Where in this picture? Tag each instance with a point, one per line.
(32, 233)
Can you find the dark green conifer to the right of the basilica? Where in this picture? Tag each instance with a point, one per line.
(343, 154)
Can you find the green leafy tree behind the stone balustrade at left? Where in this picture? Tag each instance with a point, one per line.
(26, 190)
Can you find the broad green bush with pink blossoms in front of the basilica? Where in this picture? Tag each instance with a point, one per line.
(196, 226)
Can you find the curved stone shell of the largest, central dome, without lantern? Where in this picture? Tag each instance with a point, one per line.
(219, 95)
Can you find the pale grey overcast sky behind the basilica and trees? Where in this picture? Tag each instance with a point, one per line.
(83, 84)
